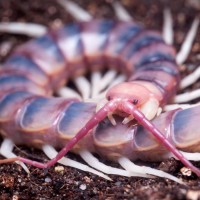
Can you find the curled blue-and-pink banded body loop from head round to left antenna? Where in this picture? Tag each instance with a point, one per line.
(36, 69)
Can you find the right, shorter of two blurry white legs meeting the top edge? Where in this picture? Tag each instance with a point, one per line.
(121, 12)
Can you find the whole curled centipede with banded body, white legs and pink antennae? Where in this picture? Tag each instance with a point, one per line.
(121, 123)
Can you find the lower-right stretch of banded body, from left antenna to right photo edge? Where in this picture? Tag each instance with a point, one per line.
(179, 126)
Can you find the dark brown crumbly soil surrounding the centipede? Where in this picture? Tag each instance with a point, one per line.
(70, 183)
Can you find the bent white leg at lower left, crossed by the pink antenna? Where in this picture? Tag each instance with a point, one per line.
(6, 151)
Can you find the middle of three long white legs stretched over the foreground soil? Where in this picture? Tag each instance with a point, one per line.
(95, 163)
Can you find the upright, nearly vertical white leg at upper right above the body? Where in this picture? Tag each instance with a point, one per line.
(168, 33)
